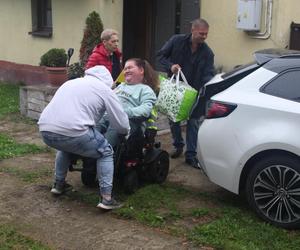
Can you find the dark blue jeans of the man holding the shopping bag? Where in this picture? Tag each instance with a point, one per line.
(192, 128)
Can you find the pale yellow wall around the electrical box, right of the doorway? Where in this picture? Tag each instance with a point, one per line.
(233, 46)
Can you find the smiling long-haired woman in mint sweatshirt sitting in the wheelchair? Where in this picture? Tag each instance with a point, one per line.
(137, 96)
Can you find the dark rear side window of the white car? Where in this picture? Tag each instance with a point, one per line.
(286, 85)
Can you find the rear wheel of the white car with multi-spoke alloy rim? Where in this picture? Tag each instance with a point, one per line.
(273, 190)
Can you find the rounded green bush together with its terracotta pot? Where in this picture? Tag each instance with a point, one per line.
(55, 62)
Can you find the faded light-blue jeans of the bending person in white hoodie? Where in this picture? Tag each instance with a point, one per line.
(92, 144)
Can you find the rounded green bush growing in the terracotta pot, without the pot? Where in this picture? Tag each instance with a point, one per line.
(54, 58)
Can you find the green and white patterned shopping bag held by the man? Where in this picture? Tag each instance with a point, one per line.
(176, 98)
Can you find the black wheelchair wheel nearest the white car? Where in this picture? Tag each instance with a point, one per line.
(159, 168)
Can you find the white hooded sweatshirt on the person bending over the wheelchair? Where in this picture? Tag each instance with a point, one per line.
(78, 104)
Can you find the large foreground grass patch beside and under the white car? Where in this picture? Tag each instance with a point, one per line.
(221, 223)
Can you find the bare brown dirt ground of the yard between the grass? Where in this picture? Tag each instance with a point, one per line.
(67, 224)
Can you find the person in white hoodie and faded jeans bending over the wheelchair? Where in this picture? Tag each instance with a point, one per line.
(68, 125)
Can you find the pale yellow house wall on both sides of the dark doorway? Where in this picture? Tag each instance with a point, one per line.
(231, 45)
